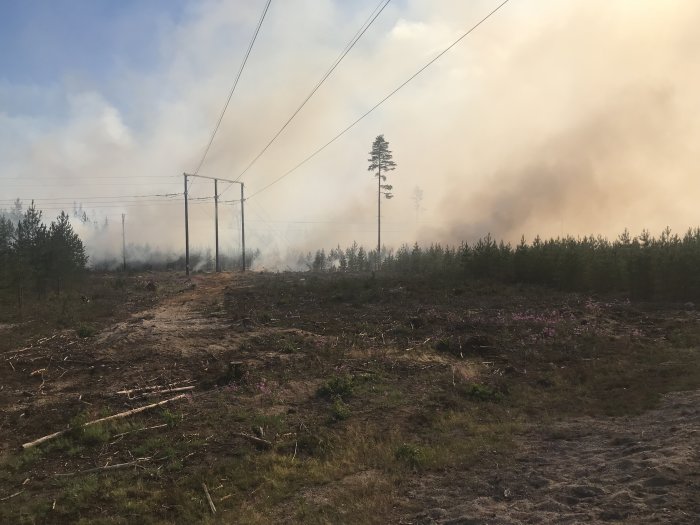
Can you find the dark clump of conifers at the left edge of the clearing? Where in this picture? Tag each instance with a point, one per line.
(36, 258)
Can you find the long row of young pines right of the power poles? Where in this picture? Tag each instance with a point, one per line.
(642, 266)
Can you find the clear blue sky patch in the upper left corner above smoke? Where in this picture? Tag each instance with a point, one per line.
(42, 41)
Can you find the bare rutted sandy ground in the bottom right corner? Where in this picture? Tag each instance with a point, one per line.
(642, 469)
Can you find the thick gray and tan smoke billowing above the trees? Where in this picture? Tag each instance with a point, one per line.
(553, 118)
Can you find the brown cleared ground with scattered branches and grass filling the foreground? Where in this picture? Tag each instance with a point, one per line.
(353, 399)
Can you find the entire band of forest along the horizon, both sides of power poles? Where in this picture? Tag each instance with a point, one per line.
(40, 259)
